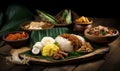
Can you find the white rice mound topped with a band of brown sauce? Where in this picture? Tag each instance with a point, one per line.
(69, 42)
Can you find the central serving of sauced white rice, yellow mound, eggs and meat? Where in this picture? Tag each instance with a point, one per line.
(60, 46)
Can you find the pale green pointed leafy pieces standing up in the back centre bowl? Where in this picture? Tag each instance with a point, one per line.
(64, 17)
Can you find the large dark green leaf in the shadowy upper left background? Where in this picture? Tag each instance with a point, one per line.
(15, 15)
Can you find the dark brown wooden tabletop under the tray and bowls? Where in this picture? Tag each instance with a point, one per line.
(109, 62)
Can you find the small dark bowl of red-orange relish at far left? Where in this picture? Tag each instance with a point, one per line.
(16, 42)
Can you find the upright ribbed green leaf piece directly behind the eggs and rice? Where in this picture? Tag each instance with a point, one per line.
(39, 34)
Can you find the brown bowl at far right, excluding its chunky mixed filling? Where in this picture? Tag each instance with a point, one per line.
(101, 39)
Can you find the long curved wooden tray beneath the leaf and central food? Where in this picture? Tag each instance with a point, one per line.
(98, 53)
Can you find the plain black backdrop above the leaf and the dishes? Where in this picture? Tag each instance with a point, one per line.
(98, 8)
